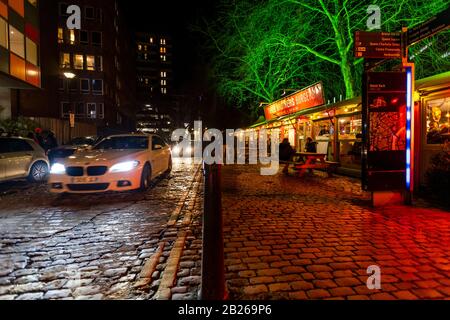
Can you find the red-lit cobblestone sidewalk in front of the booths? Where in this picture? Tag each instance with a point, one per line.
(314, 237)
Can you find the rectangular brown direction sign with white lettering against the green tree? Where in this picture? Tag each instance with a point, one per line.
(378, 45)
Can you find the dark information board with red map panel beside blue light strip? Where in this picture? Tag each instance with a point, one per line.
(385, 109)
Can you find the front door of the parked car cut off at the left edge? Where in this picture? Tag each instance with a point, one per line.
(18, 159)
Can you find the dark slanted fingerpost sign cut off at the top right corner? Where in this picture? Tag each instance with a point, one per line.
(424, 30)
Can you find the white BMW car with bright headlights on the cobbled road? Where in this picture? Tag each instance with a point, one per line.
(117, 163)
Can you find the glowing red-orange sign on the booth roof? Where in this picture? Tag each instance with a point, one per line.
(304, 99)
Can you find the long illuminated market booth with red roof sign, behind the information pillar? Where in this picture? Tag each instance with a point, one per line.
(337, 127)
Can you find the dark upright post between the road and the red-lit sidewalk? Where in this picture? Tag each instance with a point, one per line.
(213, 269)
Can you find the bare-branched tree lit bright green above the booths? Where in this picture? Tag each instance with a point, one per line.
(262, 47)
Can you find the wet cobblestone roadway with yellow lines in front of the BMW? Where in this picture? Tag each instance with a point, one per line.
(111, 246)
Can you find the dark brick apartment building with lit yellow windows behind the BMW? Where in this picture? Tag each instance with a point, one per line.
(99, 57)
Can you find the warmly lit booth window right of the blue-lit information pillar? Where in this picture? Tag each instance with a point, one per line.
(438, 121)
